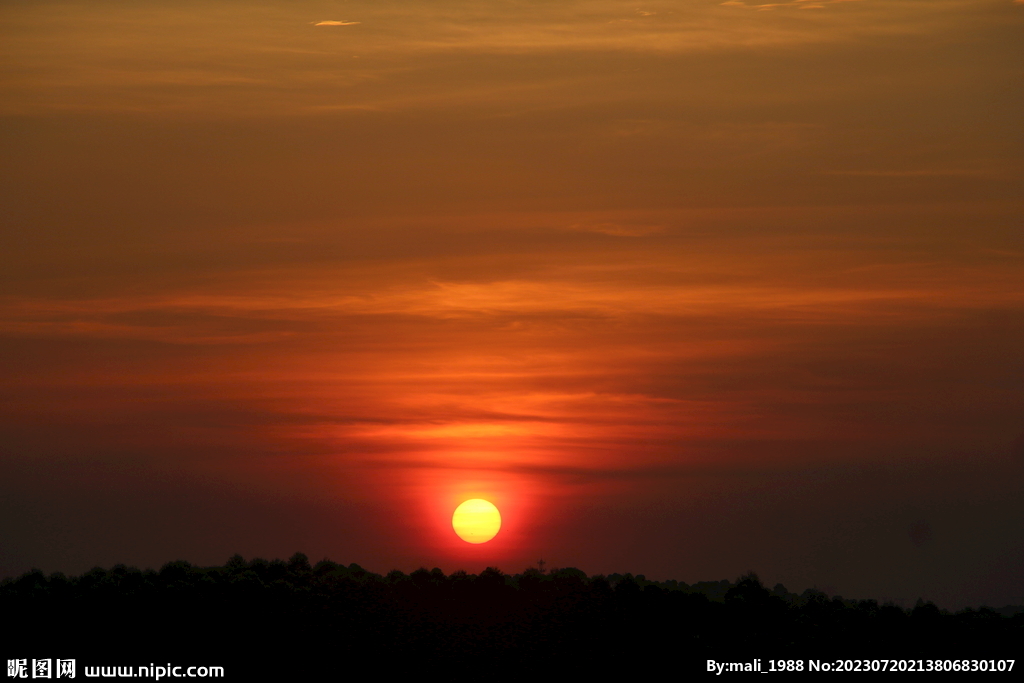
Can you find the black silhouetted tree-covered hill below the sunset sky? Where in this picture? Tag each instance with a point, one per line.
(289, 619)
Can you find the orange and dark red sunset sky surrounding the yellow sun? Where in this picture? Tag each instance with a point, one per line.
(686, 288)
